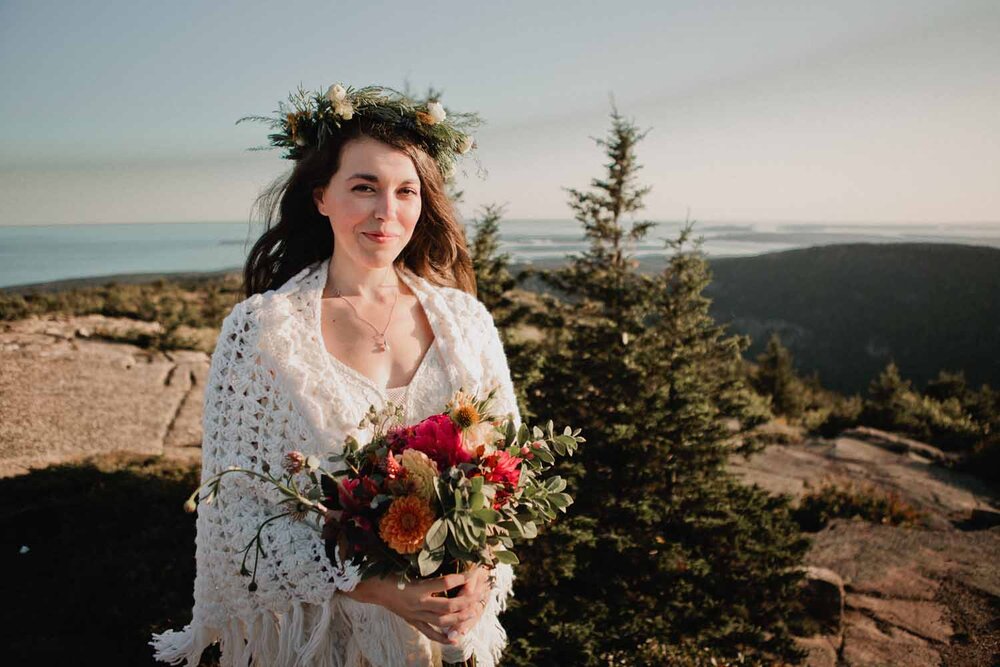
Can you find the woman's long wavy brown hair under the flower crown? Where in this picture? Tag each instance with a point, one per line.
(297, 235)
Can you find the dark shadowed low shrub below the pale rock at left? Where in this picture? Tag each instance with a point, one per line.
(109, 559)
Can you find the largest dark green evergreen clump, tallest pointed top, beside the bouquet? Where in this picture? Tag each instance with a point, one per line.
(662, 545)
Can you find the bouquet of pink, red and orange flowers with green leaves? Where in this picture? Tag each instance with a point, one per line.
(415, 501)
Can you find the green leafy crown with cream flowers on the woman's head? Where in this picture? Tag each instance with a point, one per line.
(310, 119)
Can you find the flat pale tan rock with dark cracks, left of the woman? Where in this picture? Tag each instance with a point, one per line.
(66, 393)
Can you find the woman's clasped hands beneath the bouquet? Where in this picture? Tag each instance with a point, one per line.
(423, 604)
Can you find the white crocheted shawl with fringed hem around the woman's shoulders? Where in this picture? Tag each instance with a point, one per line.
(264, 398)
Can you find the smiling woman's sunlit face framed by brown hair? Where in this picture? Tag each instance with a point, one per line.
(373, 203)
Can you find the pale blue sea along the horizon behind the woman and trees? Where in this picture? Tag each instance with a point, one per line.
(35, 254)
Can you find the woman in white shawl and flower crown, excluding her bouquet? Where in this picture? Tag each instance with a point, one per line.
(361, 291)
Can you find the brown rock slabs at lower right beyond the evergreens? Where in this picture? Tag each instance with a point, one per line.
(887, 595)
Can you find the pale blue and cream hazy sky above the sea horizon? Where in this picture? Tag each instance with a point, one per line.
(836, 111)
